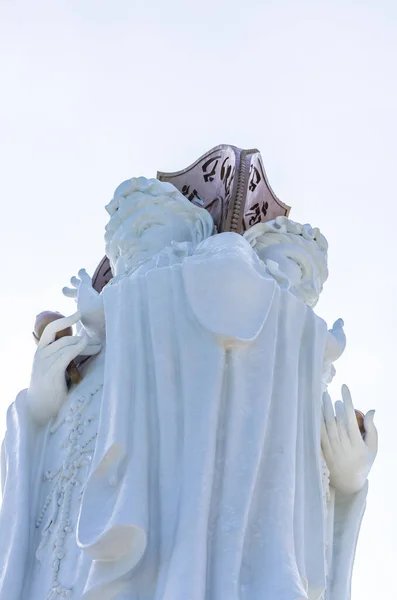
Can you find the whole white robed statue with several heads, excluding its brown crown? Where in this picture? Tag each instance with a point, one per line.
(187, 463)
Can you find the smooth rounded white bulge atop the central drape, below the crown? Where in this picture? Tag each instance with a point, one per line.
(228, 287)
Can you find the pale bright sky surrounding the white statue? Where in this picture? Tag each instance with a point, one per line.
(95, 92)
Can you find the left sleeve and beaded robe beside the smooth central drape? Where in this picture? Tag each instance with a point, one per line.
(45, 470)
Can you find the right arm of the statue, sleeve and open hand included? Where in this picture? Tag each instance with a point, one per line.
(349, 456)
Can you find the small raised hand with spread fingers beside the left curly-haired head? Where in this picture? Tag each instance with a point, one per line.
(89, 304)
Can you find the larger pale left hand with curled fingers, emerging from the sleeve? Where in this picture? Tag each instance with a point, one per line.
(48, 389)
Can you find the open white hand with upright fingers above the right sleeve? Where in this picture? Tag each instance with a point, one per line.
(349, 455)
